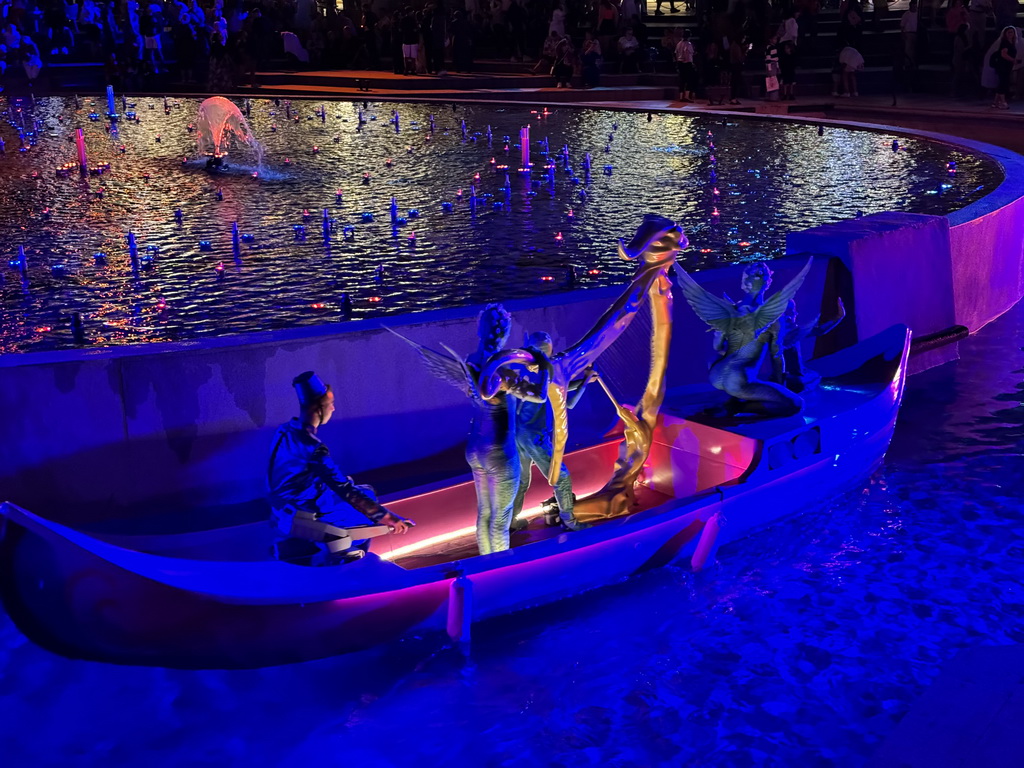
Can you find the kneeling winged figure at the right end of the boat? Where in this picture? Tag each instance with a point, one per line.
(745, 329)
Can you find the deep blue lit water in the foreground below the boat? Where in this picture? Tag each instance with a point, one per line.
(803, 648)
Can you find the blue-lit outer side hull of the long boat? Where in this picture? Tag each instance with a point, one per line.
(89, 600)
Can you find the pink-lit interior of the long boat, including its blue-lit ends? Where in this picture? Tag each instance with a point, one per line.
(697, 447)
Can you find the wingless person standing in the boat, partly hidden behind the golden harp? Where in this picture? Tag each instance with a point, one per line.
(535, 442)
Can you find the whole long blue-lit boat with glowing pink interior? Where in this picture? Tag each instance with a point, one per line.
(215, 600)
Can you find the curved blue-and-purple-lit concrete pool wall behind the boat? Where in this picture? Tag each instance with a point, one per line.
(89, 435)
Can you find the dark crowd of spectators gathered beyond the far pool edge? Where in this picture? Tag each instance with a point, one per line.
(214, 45)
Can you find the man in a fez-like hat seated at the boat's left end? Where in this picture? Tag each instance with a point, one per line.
(311, 498)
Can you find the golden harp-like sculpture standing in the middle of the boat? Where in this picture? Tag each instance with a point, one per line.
(656, 245)
